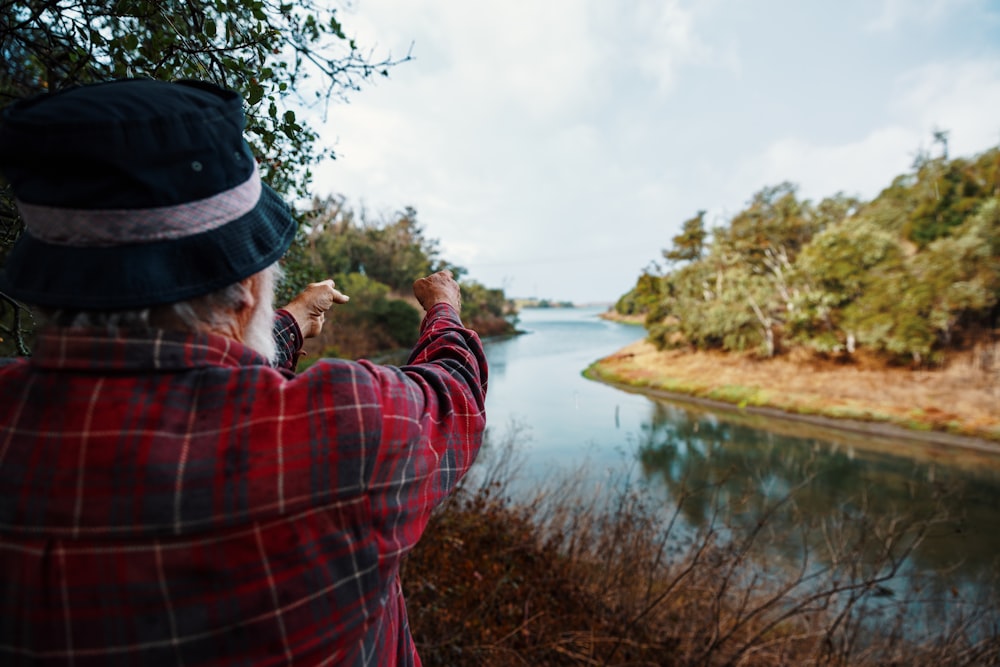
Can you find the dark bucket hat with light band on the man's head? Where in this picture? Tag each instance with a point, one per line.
(135, 193)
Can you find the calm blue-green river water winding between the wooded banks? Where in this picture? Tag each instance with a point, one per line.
(563, 420)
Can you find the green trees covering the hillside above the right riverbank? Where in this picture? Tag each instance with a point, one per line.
(910, 276)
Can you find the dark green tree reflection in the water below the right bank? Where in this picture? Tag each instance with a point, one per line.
(747, 470)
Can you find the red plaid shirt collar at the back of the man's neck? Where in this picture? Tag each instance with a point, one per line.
(130, 350)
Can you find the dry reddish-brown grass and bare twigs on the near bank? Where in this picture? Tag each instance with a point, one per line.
(570, 576)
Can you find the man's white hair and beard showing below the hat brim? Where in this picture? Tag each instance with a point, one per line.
(214, 312)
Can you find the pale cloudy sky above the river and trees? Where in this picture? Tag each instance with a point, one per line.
(554, 147)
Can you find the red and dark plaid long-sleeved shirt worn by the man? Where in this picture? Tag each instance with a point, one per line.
(169, 499)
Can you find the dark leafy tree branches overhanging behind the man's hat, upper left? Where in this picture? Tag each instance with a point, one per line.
(280, 55)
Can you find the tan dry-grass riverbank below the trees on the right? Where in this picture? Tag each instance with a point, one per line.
(957, 406)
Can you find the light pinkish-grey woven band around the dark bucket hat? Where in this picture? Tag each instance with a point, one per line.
(112, 227)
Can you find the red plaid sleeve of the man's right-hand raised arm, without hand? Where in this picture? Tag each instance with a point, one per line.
(433, 421)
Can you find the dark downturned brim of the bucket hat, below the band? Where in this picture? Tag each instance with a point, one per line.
(149, 274)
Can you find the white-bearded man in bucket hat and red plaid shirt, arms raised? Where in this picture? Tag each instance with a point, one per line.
(170, 491)
